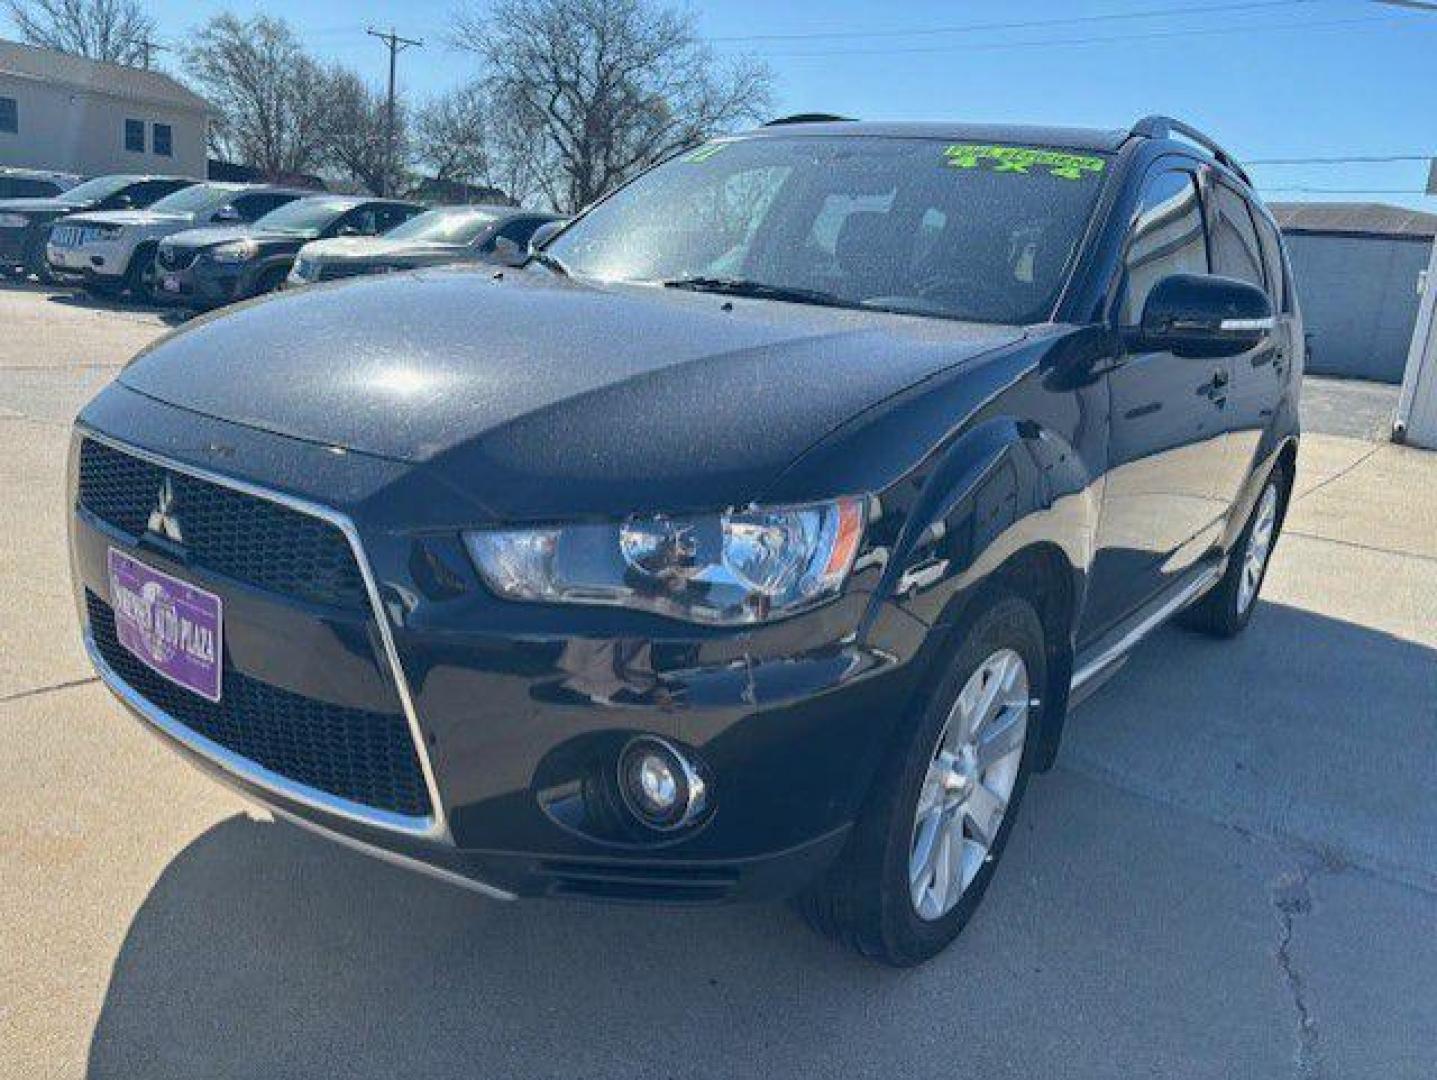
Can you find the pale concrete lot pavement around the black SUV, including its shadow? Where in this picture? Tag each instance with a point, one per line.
(1231, 874)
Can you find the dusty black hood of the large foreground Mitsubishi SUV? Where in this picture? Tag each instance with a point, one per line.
(519, 386)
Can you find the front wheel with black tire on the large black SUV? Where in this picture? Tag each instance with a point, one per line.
(874, 898)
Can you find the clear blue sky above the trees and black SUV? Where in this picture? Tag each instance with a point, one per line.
(1303, 78)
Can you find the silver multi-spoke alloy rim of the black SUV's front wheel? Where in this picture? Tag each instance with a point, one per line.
(969, 785)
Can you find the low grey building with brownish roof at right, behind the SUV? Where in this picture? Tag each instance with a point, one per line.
(1357, 266)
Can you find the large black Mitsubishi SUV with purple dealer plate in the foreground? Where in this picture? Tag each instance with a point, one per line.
(752, 542)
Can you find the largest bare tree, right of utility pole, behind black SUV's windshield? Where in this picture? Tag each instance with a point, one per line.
(594, 91)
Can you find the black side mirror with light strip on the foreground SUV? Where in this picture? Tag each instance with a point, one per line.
(1205, 317)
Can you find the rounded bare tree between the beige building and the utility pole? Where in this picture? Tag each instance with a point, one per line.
(269, 94)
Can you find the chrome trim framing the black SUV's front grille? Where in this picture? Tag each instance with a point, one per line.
(433, 827)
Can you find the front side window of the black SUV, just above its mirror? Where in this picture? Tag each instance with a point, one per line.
(1168, 239)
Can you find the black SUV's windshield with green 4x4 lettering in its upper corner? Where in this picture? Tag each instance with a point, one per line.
(920, 226)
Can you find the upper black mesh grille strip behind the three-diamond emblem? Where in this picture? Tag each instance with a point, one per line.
(241, 536)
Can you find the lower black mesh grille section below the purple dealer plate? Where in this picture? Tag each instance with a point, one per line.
(366, 758)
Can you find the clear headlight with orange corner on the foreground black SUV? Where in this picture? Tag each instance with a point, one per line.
(725, 569)
